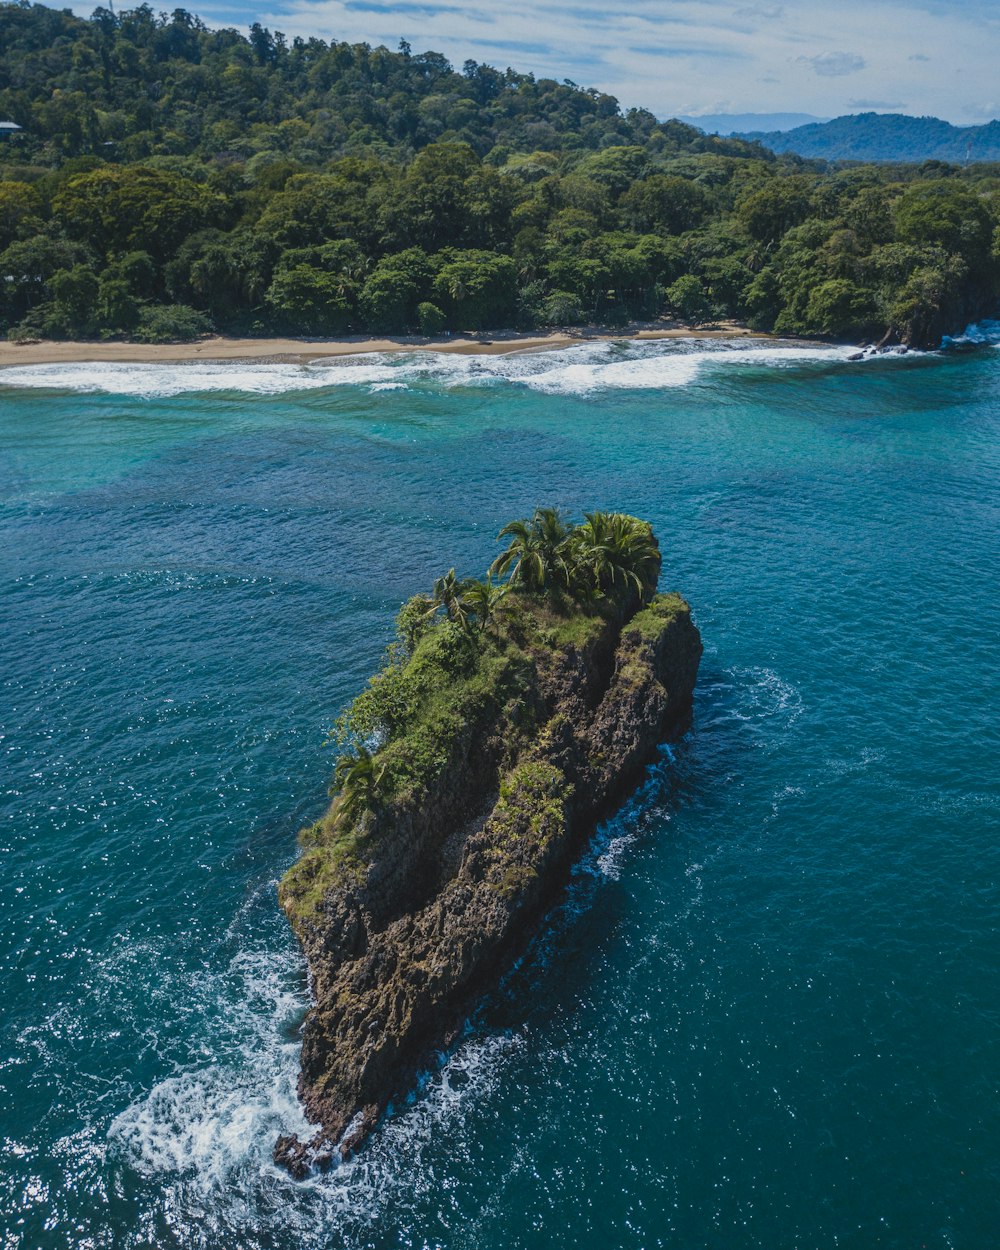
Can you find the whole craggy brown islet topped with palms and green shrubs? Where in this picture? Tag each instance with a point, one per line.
(509, 719)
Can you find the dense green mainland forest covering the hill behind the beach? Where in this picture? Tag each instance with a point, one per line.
(168, 181)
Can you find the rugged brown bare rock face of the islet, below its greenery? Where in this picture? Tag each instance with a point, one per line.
(418, 918)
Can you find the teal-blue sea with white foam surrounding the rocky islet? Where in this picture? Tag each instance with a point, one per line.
(767, 1013)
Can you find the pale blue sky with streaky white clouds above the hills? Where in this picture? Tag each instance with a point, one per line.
(693, 57)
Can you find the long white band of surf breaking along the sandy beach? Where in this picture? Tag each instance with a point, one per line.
(577, 371)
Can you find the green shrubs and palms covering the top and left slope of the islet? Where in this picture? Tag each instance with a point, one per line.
(463, 671)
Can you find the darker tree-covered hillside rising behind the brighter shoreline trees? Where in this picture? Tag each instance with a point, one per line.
(142, 84)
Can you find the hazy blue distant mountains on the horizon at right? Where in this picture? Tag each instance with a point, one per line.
(886, 137)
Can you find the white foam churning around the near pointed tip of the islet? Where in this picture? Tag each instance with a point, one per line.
(203, 1137)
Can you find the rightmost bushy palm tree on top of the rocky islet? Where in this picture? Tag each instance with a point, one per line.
(617, 554)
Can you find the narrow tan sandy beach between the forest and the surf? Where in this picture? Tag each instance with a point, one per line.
(312, 351)
